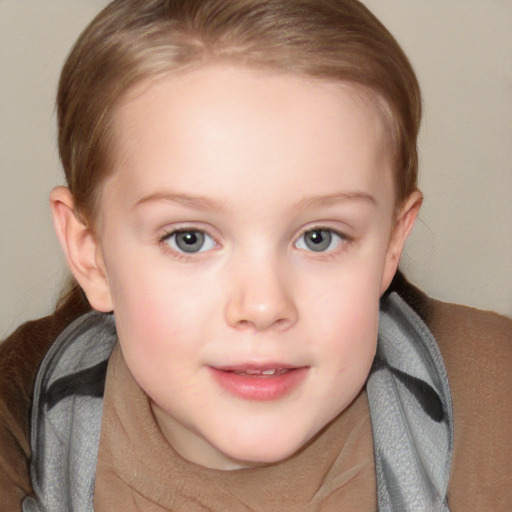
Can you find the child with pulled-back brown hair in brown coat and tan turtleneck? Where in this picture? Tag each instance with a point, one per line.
(241, 182)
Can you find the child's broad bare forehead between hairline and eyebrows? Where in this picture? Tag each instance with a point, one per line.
(234, 127)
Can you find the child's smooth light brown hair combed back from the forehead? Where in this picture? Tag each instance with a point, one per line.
(135, 41)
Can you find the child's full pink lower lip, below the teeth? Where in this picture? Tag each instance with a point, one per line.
(260, 388)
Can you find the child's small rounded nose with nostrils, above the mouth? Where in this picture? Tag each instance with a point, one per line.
(260, 299)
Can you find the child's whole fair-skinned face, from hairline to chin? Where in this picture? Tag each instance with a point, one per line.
(247, 229)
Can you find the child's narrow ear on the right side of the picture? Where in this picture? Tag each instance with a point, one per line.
(403, 226)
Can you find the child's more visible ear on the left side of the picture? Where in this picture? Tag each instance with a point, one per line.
(81, 248)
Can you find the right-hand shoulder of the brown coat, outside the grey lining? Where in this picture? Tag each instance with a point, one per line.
(477, 351)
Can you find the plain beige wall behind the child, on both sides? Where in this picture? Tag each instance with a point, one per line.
(461, 250)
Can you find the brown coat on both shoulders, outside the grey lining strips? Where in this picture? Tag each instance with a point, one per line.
(476, 347)
